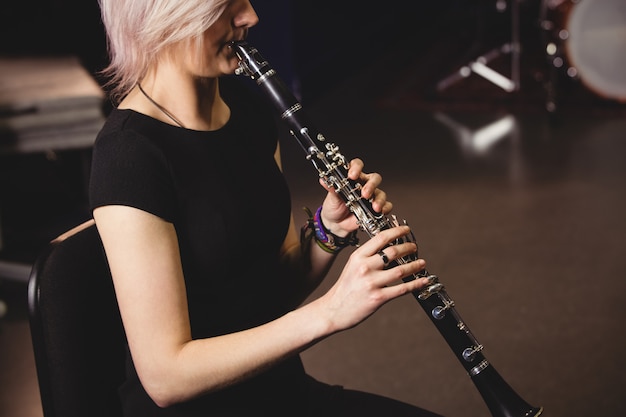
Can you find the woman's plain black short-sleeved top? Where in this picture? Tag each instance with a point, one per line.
(230, 205)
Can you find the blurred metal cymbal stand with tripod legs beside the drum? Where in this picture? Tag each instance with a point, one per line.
(480, 66)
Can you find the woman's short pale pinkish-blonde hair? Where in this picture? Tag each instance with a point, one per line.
(139, 30)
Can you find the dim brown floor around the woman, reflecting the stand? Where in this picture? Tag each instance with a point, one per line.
(519, 211)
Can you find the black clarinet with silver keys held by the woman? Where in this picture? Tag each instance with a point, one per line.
(332, 168)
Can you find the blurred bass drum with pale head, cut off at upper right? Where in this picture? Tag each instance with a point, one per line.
(587, 38)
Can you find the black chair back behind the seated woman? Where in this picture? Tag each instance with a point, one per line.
(76, 330)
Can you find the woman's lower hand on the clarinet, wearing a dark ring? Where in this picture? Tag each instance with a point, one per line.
(365, 285)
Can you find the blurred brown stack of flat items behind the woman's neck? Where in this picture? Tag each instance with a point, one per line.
(47, 104)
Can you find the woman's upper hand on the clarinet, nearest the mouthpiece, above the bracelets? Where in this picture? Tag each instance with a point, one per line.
(336, 216)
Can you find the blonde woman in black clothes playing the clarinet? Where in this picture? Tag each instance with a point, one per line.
(194, 213)
